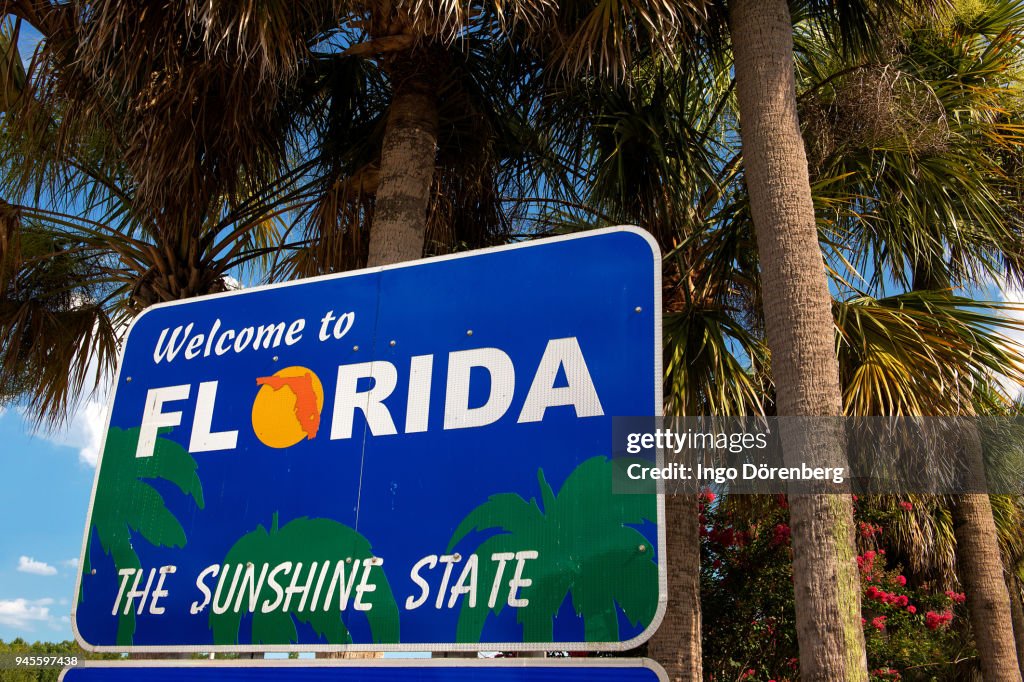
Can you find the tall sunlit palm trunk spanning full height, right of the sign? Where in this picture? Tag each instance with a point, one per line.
(800, 333)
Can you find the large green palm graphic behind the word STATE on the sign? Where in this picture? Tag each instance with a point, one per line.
(586, 547)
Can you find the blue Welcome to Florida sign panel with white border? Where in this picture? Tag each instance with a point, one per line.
(408, 458)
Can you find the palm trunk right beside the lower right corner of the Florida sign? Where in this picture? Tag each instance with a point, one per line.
(677, 644)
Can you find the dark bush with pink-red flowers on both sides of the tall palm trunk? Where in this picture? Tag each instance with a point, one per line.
(916, 628)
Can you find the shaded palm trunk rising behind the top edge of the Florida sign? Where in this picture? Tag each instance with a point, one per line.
(408, 161)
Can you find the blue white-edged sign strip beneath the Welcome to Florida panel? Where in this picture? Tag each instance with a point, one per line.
(422, 670)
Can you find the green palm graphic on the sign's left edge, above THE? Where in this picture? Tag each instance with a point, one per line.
(134, 505)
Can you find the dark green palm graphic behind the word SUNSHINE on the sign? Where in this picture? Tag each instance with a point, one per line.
(307, 541)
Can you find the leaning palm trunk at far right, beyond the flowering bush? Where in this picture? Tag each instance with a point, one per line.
(980, 569)
